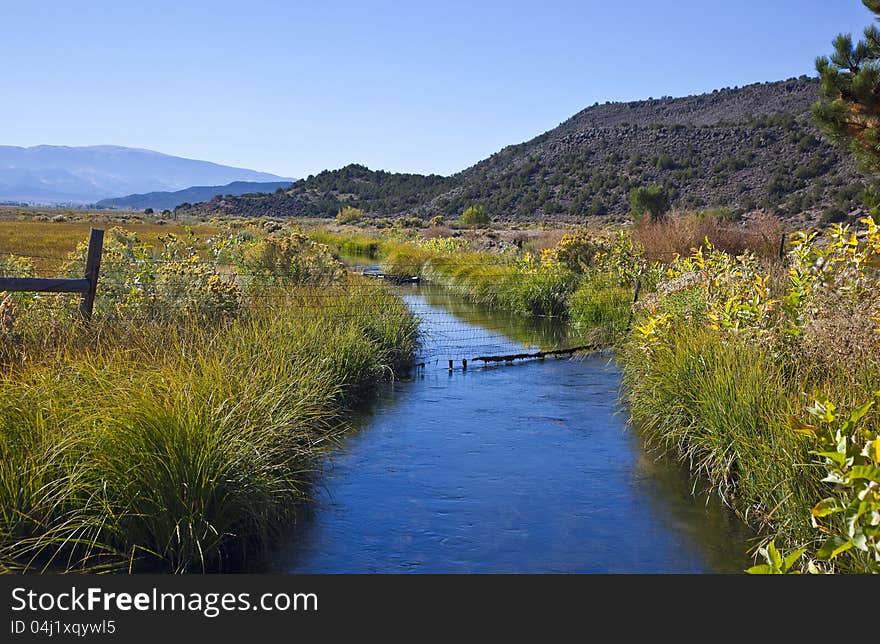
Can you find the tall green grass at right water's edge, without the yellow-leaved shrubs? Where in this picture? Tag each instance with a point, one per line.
(722, 408)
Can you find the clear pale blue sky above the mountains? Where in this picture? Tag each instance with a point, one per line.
(297, 87)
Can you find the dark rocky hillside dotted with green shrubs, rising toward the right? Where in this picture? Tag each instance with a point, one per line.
(739, 148)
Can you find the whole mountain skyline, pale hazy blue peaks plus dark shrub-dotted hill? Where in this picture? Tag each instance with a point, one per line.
(738, 148)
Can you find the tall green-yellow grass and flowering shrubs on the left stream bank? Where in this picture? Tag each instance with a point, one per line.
(181, 428)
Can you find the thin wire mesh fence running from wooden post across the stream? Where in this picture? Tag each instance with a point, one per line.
(452, 327)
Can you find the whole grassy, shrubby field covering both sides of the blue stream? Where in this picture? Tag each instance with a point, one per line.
(757, 369)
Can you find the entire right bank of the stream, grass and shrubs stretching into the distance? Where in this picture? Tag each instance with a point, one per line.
(759, 374)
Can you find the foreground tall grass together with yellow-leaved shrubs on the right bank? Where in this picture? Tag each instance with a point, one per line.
(762, 377)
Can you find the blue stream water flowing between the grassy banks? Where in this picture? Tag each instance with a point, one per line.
(523, 468)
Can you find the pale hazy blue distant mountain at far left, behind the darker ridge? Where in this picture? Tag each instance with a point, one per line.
(59, 174)
